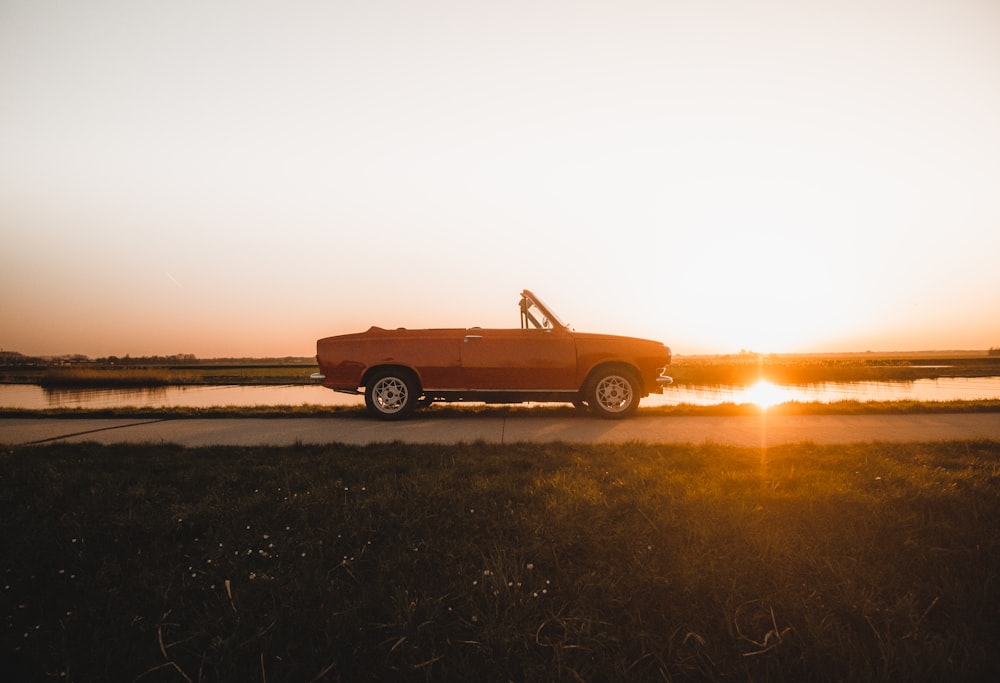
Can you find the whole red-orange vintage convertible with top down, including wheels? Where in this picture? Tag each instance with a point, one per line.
(543, 360)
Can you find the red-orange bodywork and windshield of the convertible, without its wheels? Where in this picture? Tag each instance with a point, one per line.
(544, 360)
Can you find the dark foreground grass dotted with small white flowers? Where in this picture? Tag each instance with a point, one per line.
(872, 562)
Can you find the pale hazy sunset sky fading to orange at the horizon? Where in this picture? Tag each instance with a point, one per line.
(240, 178)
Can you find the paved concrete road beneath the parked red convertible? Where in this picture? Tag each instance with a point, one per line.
(740, 431)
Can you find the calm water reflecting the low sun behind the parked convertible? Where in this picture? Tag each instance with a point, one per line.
(33, 397)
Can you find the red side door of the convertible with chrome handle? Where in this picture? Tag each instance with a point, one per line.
(519, 360)
